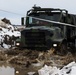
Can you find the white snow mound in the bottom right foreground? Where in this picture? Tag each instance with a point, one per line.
(69, 69)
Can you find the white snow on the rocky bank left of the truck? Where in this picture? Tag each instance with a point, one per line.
(9, 31)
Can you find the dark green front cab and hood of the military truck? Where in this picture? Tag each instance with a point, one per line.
(41, 30)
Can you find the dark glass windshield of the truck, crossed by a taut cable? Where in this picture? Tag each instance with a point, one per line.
(40, 19)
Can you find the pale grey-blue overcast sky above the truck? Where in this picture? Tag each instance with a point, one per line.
(22, 6)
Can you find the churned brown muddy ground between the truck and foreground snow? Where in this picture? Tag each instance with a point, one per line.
(33, 60)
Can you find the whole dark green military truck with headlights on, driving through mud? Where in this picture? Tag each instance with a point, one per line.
(48, 28)
